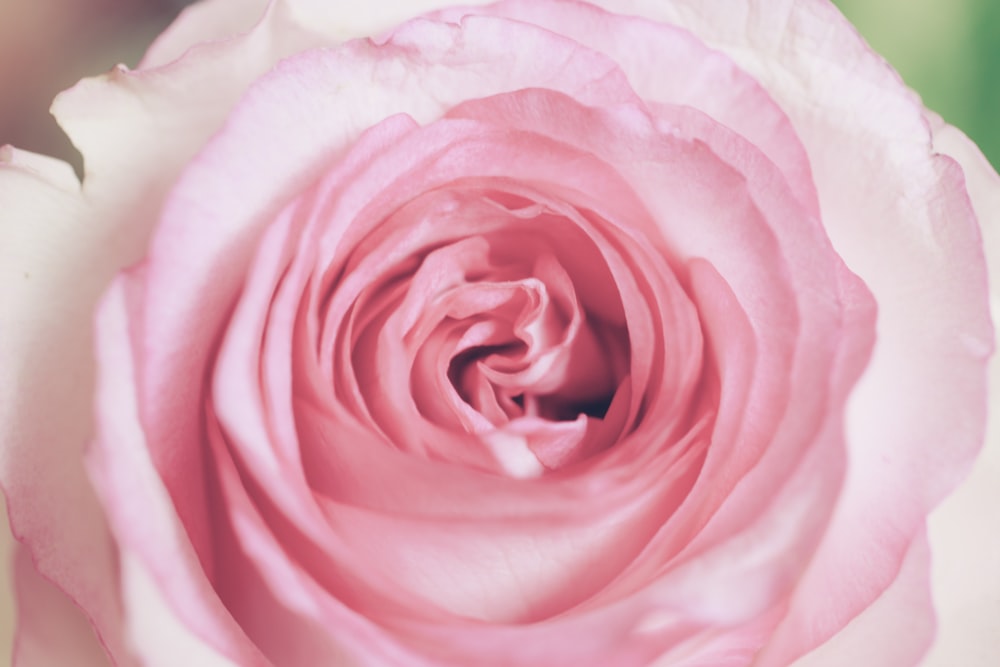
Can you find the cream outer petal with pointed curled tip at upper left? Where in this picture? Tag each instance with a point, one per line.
(120, 119)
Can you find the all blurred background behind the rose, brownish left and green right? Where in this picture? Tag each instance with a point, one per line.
(948, 50)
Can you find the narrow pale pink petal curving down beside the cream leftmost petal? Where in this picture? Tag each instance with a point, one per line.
(141, 514)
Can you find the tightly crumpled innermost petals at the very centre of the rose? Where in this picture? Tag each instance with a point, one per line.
(527, 366)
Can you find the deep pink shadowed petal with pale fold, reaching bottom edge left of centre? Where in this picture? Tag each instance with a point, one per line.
(287, 610)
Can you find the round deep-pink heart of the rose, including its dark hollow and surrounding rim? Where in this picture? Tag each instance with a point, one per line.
(499, 332)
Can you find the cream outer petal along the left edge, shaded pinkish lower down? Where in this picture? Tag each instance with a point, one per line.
(55, 257)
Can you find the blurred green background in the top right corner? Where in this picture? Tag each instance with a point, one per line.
(948, 51)
